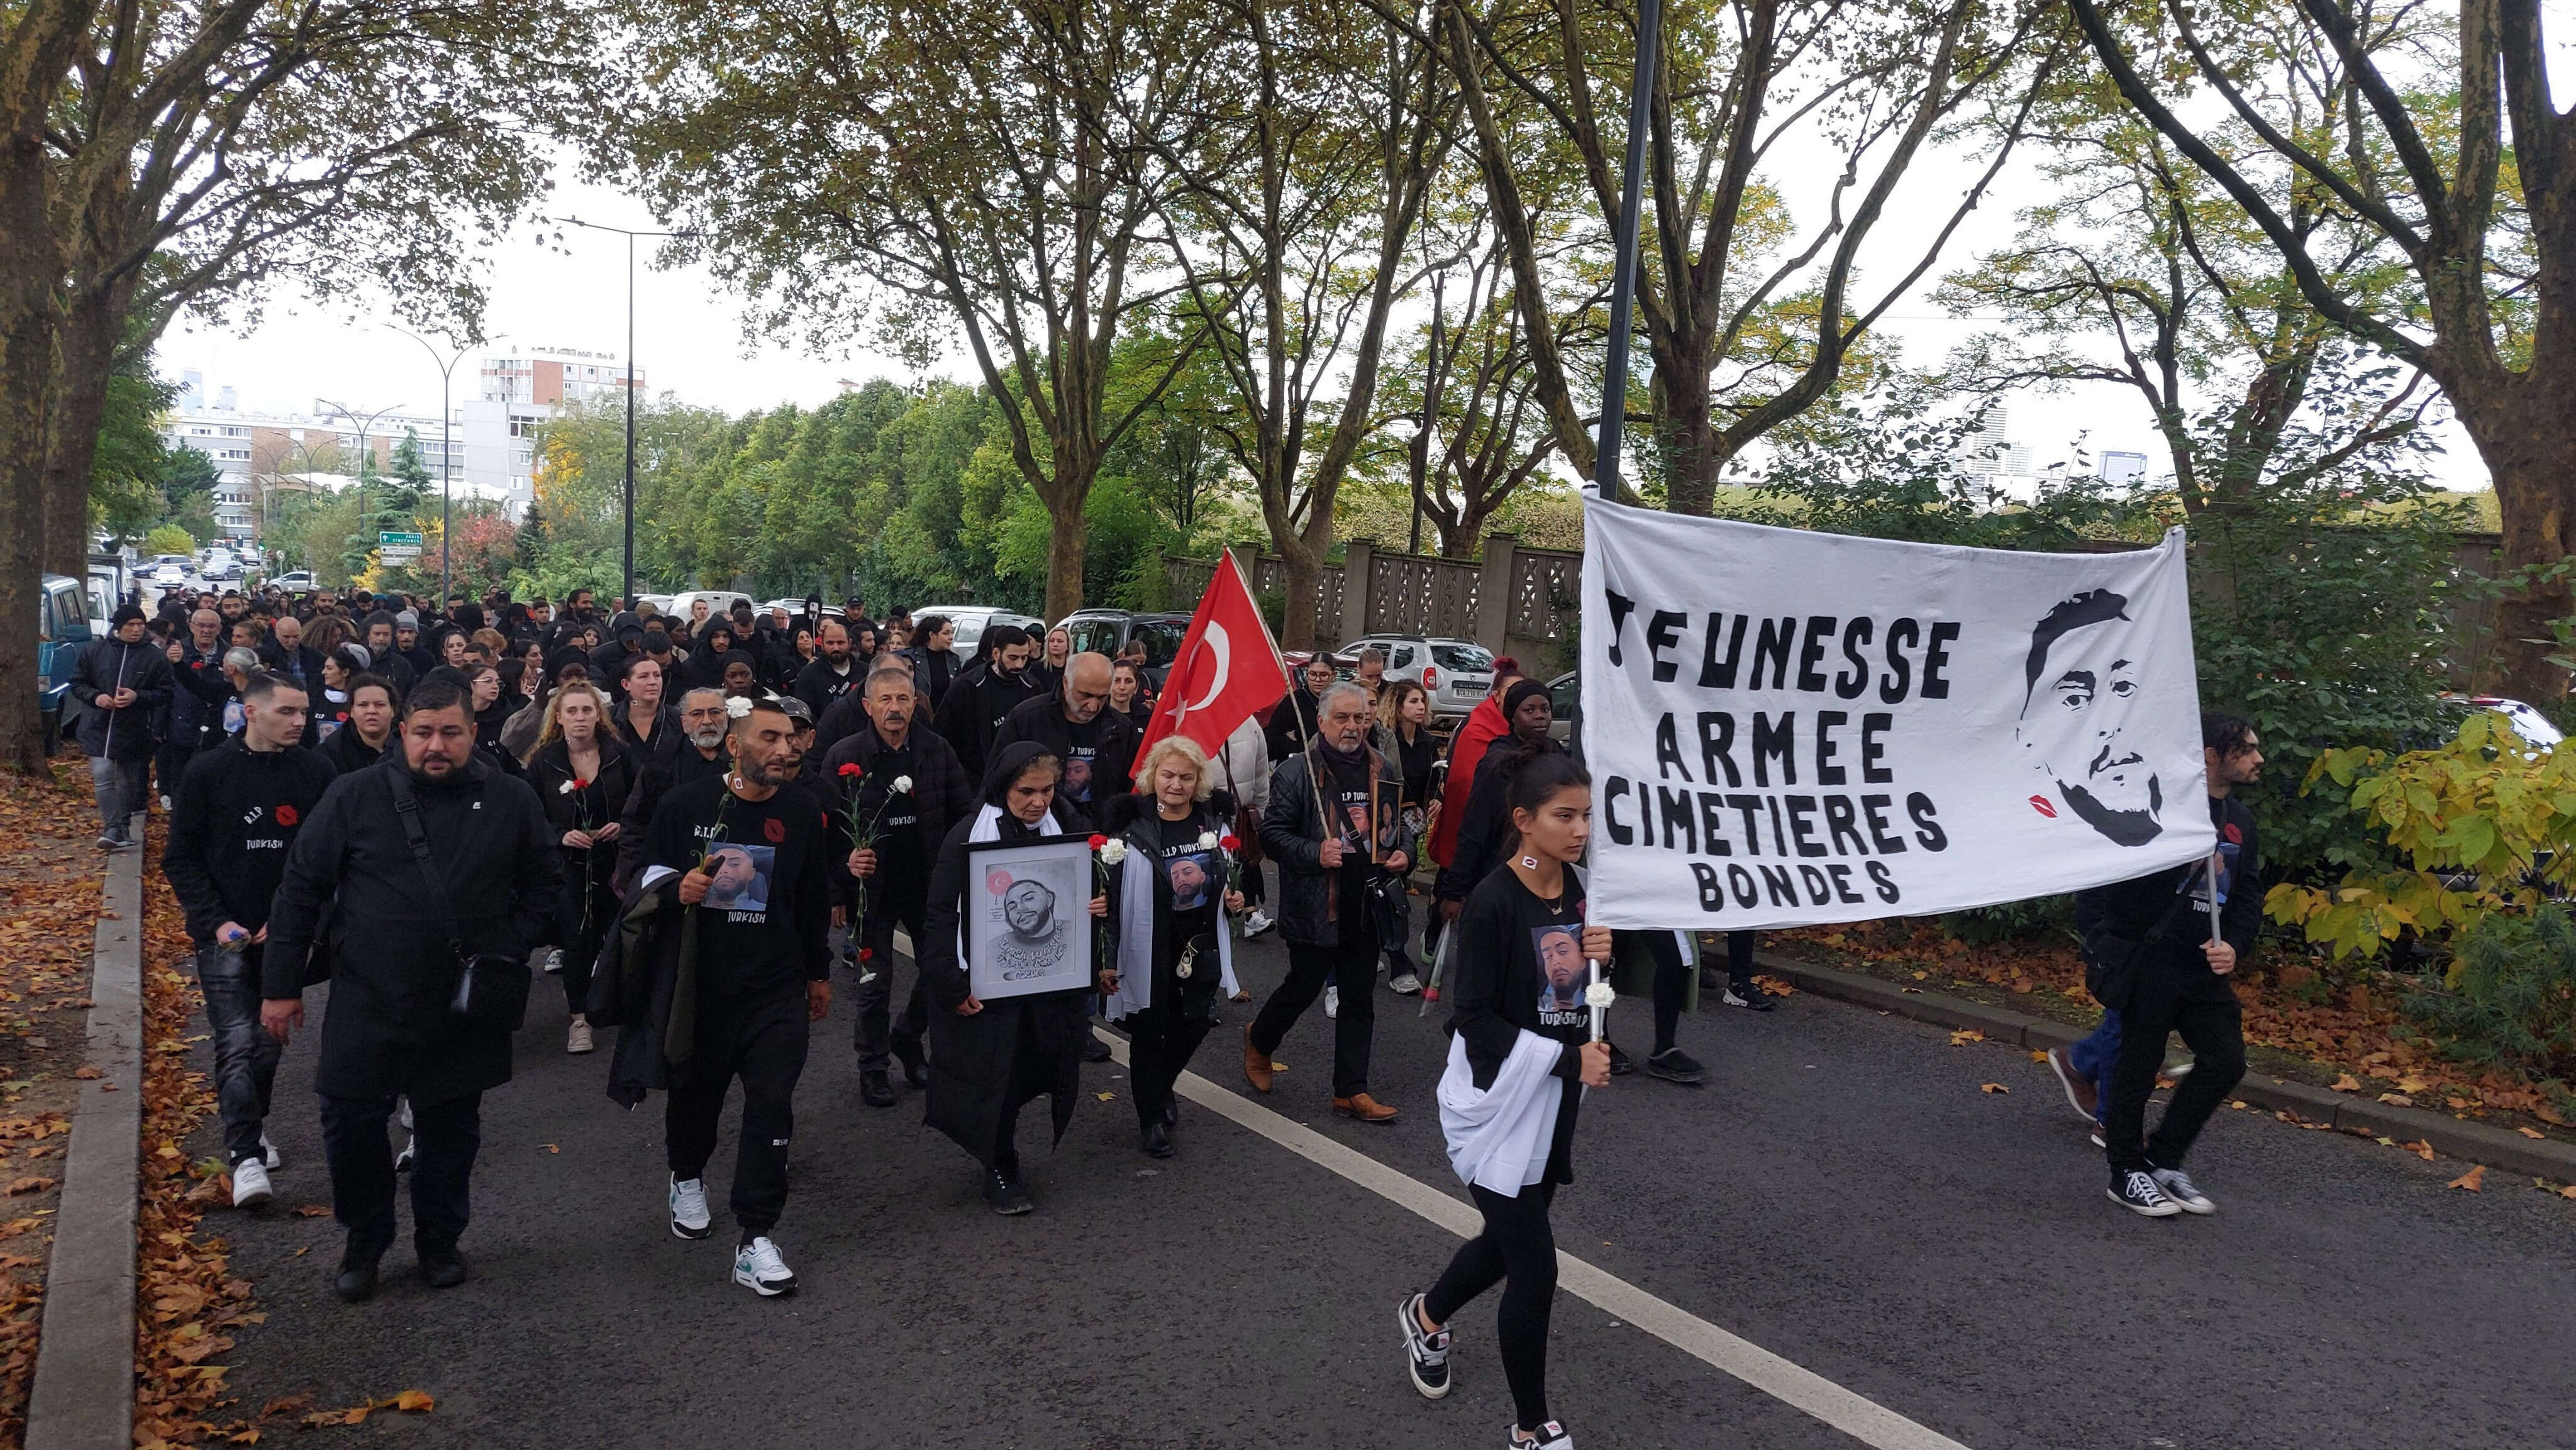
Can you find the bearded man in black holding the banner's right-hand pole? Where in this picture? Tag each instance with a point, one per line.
(2163, 954)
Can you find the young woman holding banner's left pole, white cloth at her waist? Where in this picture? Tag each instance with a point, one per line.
(1519, 995)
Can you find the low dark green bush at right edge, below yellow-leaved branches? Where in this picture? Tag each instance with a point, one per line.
(2510, 998)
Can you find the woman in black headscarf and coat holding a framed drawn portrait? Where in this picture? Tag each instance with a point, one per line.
(988, 1060)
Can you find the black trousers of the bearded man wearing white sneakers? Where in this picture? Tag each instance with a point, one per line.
(764, 1044)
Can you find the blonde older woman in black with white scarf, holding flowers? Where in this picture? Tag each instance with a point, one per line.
(1171, 905)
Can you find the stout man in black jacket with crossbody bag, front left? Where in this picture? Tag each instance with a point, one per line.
(393, 1029)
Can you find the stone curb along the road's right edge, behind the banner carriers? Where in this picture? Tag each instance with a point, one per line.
(2454, 1137)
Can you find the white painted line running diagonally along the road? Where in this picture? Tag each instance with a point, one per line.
(1820, 1397)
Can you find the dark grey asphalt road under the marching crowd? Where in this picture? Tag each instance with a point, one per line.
(1841, 1194)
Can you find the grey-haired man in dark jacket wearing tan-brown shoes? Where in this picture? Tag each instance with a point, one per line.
(1336, 833)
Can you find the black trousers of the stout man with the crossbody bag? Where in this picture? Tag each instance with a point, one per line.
(362, 1171)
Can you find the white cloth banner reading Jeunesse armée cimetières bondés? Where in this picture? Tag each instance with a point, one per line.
(1797, 728)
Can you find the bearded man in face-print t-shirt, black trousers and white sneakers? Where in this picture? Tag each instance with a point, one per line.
(748, 859)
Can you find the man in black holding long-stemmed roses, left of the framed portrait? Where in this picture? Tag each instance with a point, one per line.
(890, 877)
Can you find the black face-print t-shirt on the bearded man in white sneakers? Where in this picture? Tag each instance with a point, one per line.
(766, 918)
